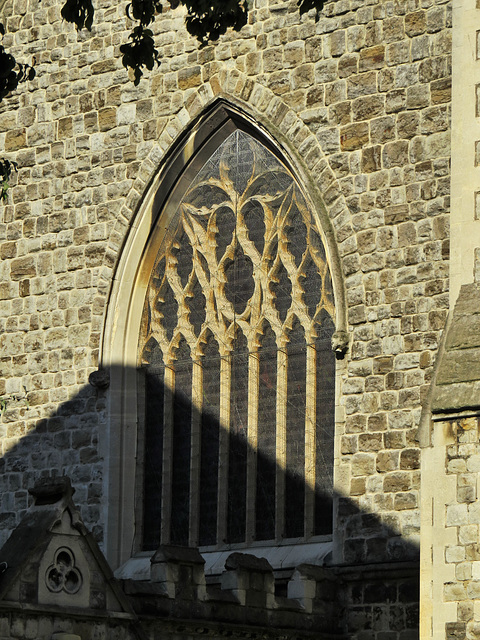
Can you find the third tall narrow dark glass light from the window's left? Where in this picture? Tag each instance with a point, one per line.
(210, 432)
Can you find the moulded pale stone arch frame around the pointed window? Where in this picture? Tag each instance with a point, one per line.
(123, 447)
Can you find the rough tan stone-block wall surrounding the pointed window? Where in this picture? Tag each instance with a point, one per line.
(364, 97)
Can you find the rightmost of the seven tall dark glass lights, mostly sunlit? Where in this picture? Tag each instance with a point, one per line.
(325, 432)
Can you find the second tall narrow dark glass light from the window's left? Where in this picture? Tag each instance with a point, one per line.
(182, 420)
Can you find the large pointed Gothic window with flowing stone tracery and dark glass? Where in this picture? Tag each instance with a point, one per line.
(235, 353)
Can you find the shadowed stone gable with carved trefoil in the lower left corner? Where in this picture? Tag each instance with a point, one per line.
(55, 582)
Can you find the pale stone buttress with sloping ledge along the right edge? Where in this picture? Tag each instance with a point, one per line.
(449, 525)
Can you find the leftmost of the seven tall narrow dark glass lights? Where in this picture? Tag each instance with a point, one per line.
(154, 402)
